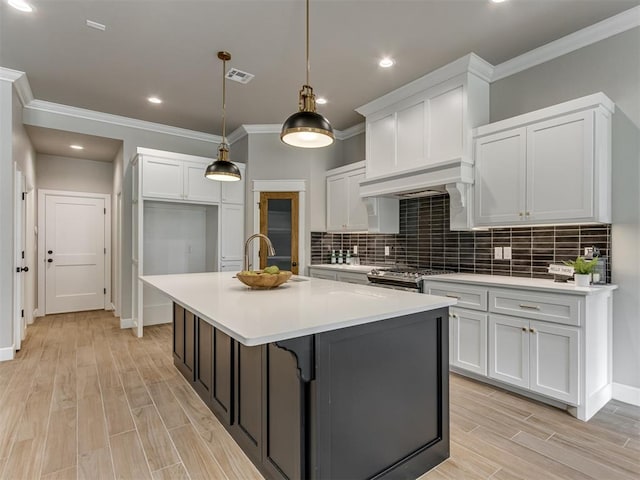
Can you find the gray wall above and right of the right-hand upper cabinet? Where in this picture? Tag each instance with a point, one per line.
(611, 66)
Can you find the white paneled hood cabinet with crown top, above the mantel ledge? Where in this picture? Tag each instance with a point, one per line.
(426, 127)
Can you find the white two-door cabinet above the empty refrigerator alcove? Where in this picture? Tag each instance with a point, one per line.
(173, 176)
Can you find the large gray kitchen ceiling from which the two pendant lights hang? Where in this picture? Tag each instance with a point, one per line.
(168, 48)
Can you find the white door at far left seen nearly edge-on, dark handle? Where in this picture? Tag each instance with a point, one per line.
(20, 268)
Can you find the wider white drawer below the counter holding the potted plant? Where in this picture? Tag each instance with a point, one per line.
(548, 307)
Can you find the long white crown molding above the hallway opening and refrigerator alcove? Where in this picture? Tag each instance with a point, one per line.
(84, 114)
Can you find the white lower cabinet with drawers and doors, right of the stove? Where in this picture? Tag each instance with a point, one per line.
(553, 344)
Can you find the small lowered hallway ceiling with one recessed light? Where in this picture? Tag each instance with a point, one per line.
(57, 142)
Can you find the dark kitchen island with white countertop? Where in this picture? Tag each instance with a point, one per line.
(318, 379)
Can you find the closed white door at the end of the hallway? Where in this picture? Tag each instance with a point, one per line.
(74, 253)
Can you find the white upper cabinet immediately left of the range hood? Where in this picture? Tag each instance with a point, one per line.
(346, 211)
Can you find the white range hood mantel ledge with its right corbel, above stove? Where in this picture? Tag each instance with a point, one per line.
(453, 177)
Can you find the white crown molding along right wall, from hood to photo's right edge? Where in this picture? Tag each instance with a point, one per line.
(587, 36)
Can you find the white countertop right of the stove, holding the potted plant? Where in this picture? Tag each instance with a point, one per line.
(539, 284)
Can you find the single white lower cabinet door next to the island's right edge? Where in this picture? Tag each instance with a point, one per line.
(469, 340)
